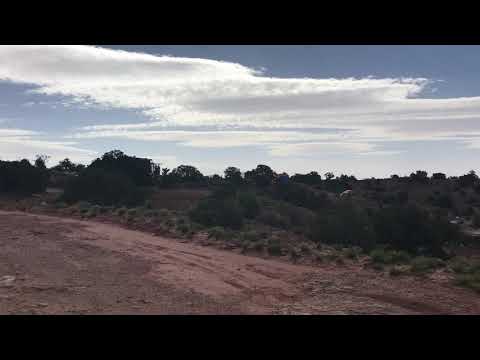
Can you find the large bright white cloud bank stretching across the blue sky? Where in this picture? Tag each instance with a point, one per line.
(176, 92)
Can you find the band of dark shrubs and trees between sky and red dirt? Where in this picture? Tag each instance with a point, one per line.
(402, 224)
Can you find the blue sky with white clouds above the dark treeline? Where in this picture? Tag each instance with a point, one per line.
(370, 111)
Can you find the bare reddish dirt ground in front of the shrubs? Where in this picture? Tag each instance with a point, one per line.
(51, 265)
